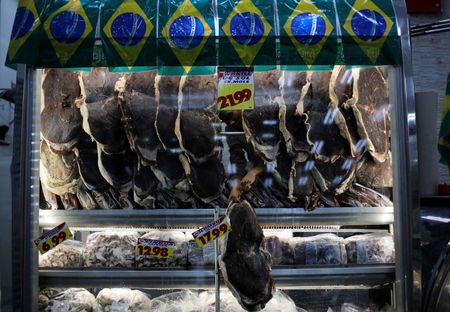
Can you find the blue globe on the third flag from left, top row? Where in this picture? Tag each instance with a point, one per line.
(128, 29)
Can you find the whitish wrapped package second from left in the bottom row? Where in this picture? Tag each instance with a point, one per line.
(121, 300)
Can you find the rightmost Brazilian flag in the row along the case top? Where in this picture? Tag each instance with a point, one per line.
(369, 32)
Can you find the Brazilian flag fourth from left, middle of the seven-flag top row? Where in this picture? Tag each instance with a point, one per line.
(186, 36)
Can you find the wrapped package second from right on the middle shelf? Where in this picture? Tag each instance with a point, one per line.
(320, 249)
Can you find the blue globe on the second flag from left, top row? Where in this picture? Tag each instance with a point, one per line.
(67, 27)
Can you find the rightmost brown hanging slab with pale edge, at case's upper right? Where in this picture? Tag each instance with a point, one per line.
(370, 105)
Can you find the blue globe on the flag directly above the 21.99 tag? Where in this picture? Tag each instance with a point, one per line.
(247, 28)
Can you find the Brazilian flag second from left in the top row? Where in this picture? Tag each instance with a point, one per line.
(69, 28)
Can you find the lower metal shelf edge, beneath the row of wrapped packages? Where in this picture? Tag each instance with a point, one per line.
(285, 277)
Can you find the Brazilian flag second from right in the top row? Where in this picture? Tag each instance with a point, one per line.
(307, 33)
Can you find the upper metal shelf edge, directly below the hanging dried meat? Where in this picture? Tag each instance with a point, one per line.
(193, 218)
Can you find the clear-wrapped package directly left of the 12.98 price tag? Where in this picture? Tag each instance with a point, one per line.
(111, 249)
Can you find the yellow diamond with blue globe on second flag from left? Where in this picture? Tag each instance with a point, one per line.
(67, 28)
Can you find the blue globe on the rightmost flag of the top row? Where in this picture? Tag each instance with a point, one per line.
(368, 25)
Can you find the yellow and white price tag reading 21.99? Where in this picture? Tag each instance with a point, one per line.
(235, 90)
